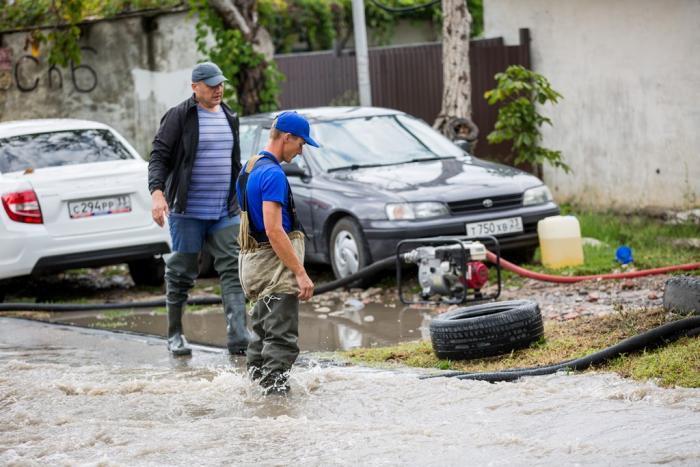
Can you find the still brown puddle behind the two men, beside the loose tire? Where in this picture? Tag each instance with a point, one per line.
(336, 328)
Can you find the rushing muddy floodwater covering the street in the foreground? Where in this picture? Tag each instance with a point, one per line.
(73, 396)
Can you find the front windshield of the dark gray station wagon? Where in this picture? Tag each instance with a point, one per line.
(379, 140)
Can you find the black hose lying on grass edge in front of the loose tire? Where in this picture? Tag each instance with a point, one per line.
(661, 335)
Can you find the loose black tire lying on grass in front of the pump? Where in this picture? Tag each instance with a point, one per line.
(487, 329)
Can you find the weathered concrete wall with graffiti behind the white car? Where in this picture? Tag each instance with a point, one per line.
(127, 79)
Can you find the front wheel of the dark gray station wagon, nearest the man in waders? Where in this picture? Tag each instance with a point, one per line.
(348, 249)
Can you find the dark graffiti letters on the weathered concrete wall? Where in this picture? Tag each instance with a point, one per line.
(26, 73)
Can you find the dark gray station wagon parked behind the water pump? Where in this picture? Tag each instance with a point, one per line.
(382, 176)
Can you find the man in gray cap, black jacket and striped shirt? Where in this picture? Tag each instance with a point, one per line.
(194, 161)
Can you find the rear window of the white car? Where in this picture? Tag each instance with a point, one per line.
(59, 148)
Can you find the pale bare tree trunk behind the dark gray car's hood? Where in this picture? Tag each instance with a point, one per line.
(455, 118)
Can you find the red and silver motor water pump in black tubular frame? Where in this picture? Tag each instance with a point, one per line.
(450, 269)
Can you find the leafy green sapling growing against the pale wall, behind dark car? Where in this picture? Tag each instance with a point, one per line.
(520, 90)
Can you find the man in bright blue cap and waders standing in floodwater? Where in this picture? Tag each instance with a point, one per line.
(272, 254)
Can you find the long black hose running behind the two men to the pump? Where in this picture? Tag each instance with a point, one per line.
(56, 307)
